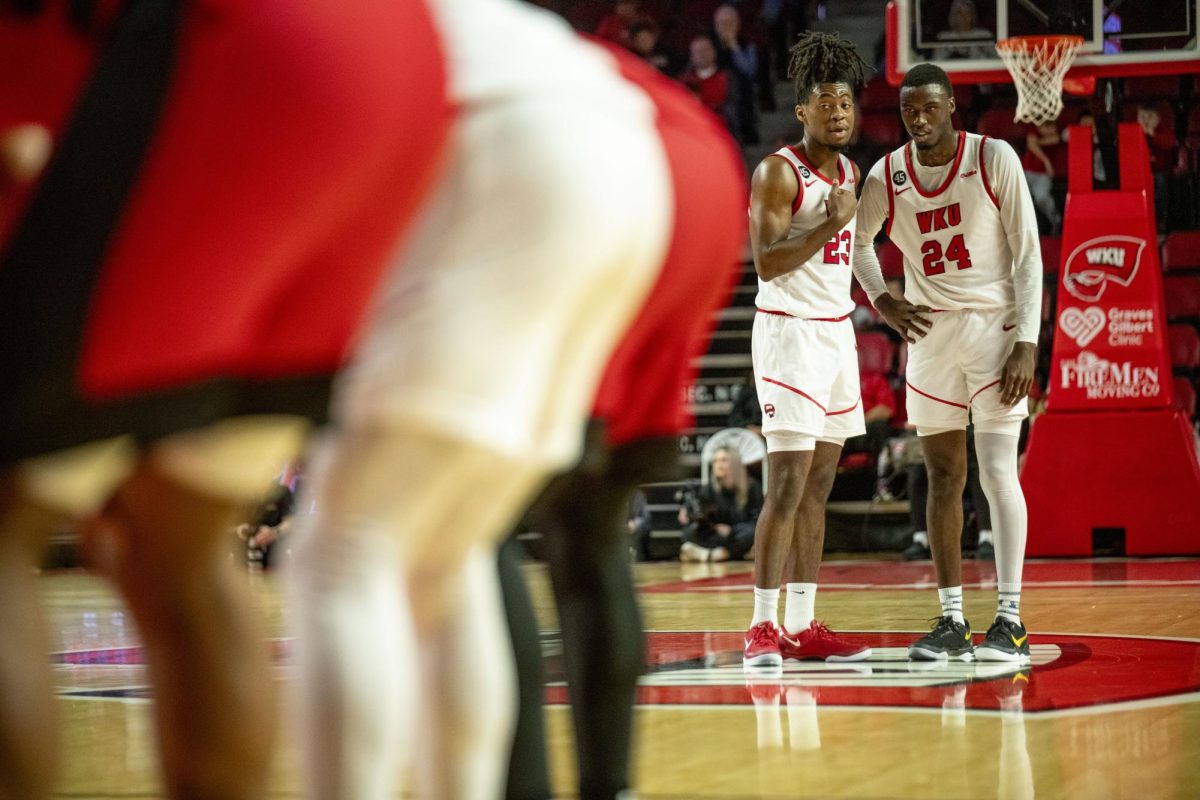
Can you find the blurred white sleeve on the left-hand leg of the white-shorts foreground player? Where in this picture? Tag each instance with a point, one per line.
(355, 646)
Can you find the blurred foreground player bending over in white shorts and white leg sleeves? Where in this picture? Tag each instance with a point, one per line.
(471, 387)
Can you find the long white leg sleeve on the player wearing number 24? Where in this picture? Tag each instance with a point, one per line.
(1010, 519)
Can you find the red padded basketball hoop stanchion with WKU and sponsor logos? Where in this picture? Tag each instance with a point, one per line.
(1111, 452)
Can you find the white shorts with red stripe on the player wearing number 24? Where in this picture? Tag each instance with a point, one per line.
(955, 371)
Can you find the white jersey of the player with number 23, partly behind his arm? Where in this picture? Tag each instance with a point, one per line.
(820, 290)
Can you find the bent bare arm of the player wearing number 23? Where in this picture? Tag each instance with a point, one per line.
(772, 193)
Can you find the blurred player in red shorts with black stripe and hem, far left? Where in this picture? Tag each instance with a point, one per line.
(227, 184)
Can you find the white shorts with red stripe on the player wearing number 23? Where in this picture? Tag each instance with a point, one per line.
(807, 375)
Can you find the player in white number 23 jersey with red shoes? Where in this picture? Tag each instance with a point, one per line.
(802, 228)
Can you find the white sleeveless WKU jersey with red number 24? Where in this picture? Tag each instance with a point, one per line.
(956, 250)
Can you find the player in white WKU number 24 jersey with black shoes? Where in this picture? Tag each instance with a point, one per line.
(959, 210)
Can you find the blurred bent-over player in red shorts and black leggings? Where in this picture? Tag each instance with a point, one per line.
(640, 416)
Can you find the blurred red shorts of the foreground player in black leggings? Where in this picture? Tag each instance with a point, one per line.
(641, 395)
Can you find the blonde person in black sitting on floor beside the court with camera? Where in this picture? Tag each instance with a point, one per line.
(719, 520)
